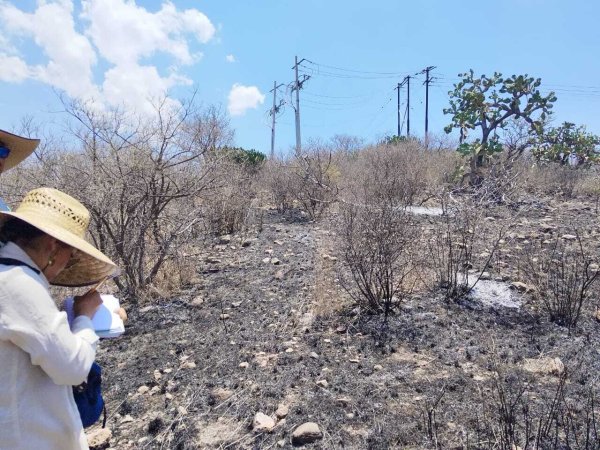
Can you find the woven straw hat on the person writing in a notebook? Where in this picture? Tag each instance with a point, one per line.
(64, 218)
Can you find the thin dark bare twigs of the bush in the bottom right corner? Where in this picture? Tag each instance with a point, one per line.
(513, 415)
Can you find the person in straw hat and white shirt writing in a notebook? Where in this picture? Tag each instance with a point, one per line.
(41, 356)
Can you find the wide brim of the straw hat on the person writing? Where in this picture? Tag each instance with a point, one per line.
(88, 266)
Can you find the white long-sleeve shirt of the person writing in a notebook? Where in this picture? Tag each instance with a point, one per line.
(41, 359)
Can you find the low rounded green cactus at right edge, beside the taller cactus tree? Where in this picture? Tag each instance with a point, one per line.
(568, 143)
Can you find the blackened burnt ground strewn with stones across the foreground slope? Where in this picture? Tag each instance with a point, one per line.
(251, 334)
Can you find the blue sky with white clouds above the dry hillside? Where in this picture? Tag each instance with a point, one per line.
(230, 53)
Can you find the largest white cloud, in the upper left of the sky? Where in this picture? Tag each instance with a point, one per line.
(119, 32)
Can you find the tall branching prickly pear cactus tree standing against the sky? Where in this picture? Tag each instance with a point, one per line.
(487, 104)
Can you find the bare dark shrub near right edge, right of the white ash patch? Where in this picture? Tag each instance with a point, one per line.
(563, 275)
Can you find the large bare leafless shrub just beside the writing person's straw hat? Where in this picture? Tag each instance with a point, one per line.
(140, 178)
